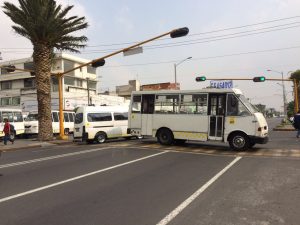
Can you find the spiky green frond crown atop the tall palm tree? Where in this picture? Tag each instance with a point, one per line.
(44, 22)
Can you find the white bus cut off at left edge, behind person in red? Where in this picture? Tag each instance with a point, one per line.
(15, 118)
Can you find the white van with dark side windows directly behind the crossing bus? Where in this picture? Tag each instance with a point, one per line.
(98, 123)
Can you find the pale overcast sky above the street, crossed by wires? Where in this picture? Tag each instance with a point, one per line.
(227, 39)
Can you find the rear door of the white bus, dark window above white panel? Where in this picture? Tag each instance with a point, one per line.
(147, 113)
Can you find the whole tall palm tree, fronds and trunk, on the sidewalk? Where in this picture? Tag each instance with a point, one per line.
(45, 24)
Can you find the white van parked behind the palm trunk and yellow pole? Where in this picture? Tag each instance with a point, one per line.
(32, 124)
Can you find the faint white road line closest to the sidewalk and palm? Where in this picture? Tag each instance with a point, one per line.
(51, 157)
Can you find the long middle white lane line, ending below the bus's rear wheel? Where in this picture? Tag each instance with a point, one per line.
(77, 178)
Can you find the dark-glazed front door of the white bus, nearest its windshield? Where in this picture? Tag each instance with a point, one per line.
(216, 113)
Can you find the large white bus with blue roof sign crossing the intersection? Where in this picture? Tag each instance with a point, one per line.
(175, 116)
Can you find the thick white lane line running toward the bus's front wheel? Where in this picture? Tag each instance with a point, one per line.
(189, 200)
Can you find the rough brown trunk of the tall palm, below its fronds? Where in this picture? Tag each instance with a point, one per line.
(42, 62)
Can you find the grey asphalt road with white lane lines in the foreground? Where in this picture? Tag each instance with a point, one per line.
(134, 182)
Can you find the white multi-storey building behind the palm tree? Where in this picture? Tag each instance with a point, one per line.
(18, 88)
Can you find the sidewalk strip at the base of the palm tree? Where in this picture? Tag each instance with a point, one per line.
(20, 144)
